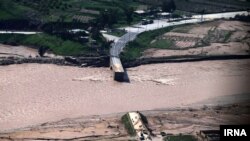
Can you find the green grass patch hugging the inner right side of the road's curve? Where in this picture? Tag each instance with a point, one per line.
(135, 48)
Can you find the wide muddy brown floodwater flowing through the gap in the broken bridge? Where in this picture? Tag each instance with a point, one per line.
(31, 94)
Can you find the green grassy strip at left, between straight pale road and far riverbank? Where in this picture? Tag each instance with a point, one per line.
(53, 43)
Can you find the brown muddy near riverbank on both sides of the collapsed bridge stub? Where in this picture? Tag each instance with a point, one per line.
(109, 127)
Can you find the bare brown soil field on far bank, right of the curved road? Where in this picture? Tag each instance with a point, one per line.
(213, 38)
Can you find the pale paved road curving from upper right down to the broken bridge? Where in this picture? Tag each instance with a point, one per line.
(133, 31)
